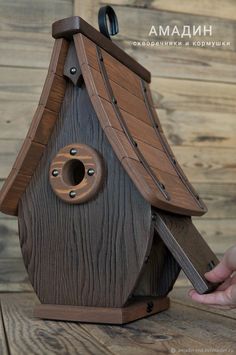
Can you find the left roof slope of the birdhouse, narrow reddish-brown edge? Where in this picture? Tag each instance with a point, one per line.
(39, 132)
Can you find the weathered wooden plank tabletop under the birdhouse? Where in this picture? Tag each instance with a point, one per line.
(183, 326)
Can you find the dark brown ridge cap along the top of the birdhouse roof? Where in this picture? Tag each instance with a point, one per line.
(68, 27)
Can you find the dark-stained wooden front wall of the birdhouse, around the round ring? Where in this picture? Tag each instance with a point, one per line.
(87, 241)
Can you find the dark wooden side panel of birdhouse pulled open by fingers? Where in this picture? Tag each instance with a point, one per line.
(188, 247)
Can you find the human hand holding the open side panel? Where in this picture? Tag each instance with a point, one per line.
(225, 295)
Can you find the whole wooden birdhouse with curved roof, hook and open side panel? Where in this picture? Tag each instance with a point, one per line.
(104, 208)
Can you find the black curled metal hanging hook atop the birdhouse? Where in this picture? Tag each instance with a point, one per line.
(107, 13)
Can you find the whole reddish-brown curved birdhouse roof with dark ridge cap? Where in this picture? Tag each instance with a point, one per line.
(119, 91)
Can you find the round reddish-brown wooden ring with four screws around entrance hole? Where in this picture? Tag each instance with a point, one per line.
(76, 173)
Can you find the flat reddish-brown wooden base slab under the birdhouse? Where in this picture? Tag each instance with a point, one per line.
(141, 307)
